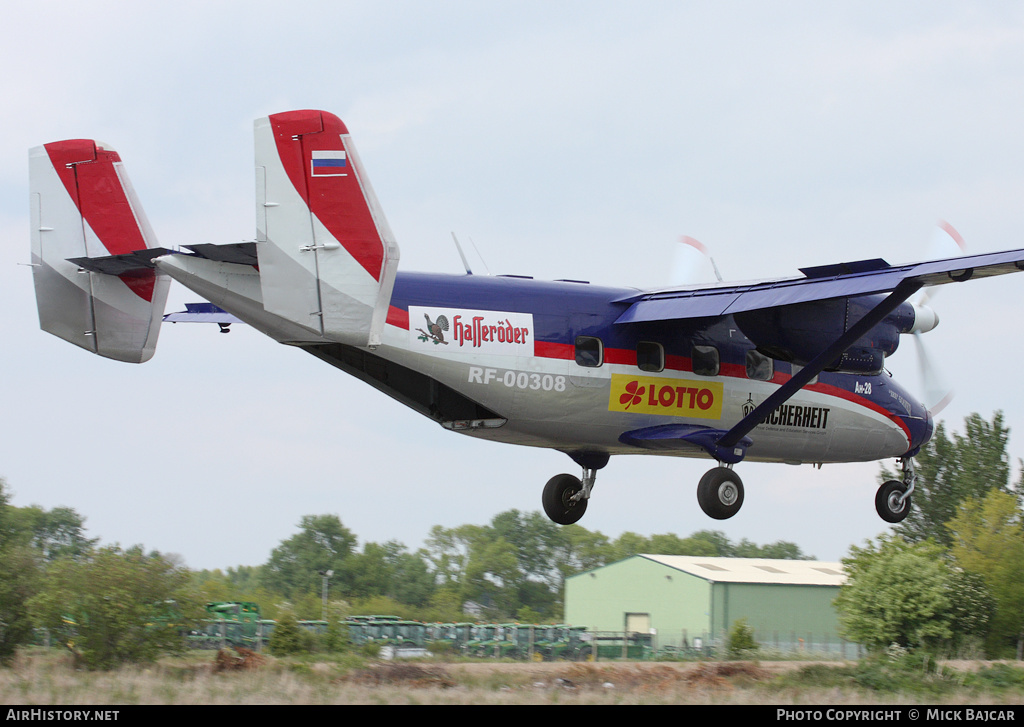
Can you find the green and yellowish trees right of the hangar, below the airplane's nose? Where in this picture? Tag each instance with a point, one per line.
(951, 577)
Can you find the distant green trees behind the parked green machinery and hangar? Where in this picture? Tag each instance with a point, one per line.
(513, 569)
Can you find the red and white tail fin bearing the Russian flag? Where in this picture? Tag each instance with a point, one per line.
(327, 255)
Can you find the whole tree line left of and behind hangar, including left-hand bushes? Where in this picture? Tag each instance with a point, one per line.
(129, 605)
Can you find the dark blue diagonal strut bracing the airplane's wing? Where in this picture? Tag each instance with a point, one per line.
(901, 294)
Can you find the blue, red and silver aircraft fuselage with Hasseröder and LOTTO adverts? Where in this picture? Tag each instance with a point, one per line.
(543, 364)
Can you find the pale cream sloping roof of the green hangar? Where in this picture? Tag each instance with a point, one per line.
(767, 571)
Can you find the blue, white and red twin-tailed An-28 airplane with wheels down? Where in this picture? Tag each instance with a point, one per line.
(789, 370)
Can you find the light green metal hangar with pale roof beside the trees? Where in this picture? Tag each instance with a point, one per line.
(691, 602)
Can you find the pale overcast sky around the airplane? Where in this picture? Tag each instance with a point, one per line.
(563, 139)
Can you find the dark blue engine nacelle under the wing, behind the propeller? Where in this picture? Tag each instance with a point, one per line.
(799, 333)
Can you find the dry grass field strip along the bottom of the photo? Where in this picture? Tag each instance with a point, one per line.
(39, 678)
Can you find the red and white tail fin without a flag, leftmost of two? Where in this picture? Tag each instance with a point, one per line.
(83, 207)
